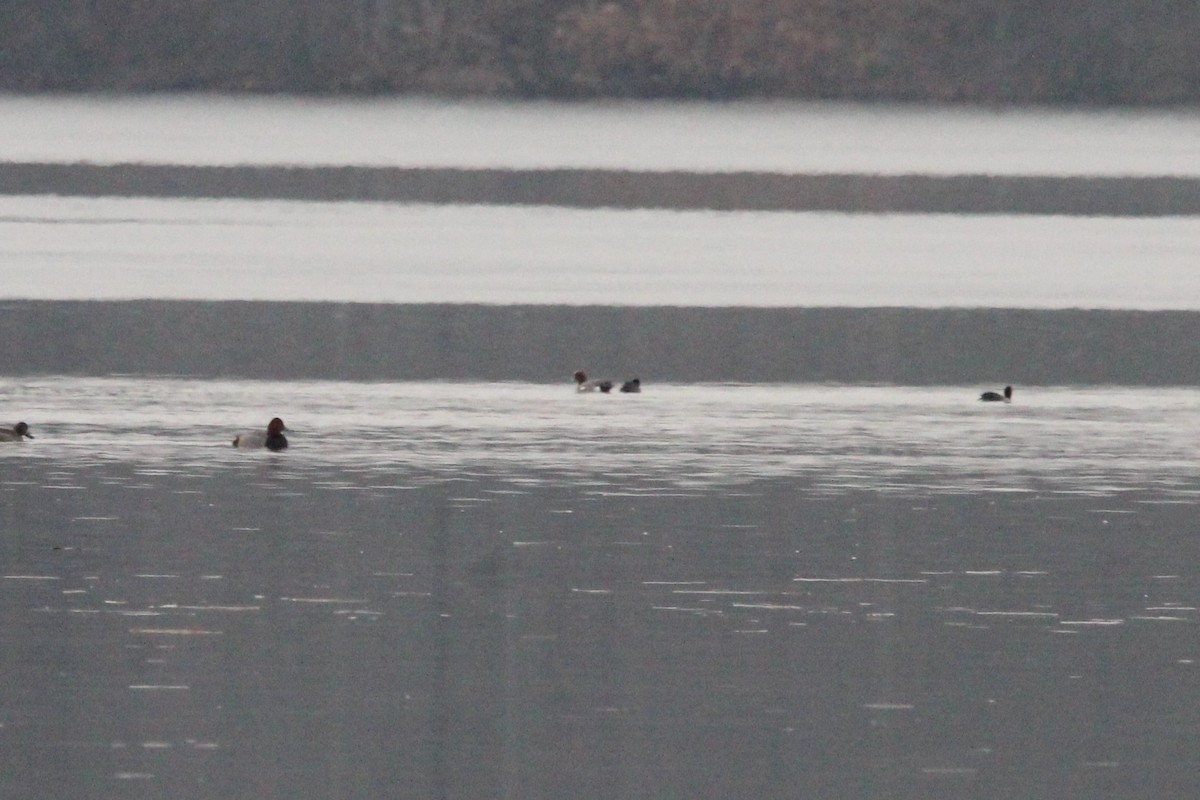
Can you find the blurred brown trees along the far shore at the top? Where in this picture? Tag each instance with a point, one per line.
(1079, 52)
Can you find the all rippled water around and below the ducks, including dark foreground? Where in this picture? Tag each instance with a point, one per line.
(511, 591)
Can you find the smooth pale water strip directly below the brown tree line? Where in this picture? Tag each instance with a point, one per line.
(701, 137)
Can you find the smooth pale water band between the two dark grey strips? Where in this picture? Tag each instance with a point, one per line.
(62, 249)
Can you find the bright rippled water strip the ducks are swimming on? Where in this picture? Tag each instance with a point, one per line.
(1093, 441)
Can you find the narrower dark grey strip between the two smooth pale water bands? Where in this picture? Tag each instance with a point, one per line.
(586, 189)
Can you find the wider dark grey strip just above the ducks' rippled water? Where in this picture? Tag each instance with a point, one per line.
(326, 341)
